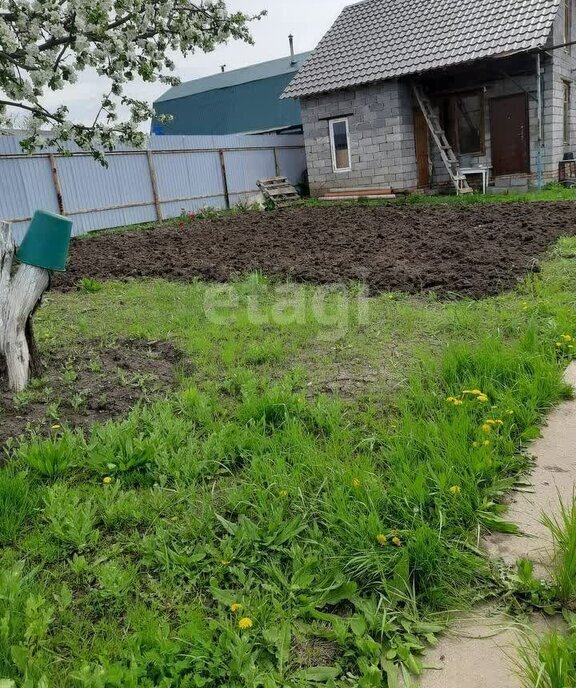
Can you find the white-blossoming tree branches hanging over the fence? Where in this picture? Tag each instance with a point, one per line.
(46, 44)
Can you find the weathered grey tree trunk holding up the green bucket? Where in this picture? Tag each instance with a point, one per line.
(20, 295)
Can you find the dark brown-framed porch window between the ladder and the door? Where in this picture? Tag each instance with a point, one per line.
(463, 121)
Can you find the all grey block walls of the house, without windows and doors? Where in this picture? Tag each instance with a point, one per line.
(382, 128)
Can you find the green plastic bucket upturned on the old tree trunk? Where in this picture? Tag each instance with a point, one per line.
(46, 242)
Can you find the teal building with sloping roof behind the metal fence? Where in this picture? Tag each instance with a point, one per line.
(234, 102)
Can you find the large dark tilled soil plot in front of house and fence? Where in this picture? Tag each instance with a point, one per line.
(472, 250)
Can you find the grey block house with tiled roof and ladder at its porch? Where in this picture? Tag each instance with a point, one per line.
(418, 94)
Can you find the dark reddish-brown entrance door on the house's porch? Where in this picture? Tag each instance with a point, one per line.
(510, 129)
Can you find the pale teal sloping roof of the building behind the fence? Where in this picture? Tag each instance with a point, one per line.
(236, 77)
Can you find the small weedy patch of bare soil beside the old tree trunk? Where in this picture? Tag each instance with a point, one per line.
(95, 383)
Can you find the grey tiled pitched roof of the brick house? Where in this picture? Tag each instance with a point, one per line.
(376, 40)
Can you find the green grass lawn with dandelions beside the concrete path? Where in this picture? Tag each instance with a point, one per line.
(248, 530)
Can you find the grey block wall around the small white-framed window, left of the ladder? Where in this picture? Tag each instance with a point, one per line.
(381, 137)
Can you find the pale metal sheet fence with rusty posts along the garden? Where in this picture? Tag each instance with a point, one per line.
(174, 173)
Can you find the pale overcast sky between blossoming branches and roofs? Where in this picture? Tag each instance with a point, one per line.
(307, 20)
